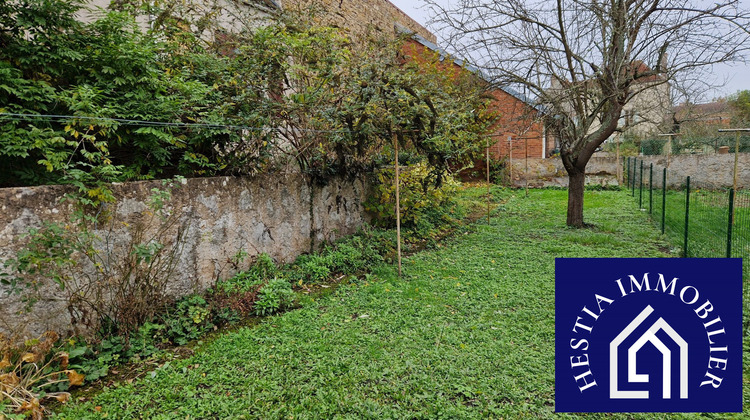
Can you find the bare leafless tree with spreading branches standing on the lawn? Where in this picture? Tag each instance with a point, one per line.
(585, 60)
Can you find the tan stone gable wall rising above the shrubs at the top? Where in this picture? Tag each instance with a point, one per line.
(362, 16)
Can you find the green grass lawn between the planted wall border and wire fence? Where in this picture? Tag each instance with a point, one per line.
(468, 332)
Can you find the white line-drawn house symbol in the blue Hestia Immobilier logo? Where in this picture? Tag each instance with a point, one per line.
(648, 337)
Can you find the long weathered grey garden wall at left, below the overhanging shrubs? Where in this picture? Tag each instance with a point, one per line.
(275, 214)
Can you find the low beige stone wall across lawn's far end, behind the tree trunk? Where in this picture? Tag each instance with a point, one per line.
(540, 173)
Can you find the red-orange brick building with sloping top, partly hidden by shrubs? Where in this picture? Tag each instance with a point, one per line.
(519, 132)
